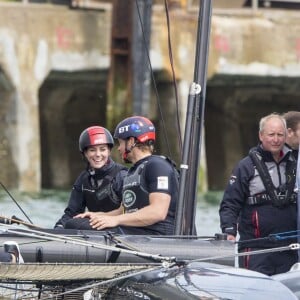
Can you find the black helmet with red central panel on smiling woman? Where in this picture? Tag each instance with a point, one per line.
(95, 135)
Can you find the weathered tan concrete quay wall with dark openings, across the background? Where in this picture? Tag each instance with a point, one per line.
(252, 56)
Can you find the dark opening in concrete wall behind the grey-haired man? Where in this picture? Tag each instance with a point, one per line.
(234, 106)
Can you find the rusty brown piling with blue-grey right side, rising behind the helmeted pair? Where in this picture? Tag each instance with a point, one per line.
(129, 76)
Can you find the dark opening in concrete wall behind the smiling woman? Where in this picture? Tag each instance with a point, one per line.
(69, 102)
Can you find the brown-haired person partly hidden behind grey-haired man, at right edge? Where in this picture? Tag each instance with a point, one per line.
(293, 130)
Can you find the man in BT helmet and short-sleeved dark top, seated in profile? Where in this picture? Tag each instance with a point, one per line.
(150, 187)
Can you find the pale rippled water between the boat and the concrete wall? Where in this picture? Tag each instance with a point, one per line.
(47, 207)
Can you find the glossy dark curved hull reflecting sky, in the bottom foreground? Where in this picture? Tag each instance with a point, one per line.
(202, 281)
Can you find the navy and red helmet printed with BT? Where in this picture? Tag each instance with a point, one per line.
(139, 127)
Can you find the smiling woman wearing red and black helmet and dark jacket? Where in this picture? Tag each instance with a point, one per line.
(99, 186)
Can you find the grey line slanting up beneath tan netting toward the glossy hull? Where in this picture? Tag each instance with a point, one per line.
(97, 284)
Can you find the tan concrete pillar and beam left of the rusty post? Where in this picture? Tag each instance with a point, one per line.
(35, 40)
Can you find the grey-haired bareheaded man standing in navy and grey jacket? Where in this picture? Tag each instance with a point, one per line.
(259, 200)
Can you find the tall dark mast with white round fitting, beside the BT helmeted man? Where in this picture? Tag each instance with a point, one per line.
(186, 207)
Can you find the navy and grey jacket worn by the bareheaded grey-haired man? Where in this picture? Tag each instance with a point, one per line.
(260, 220)
